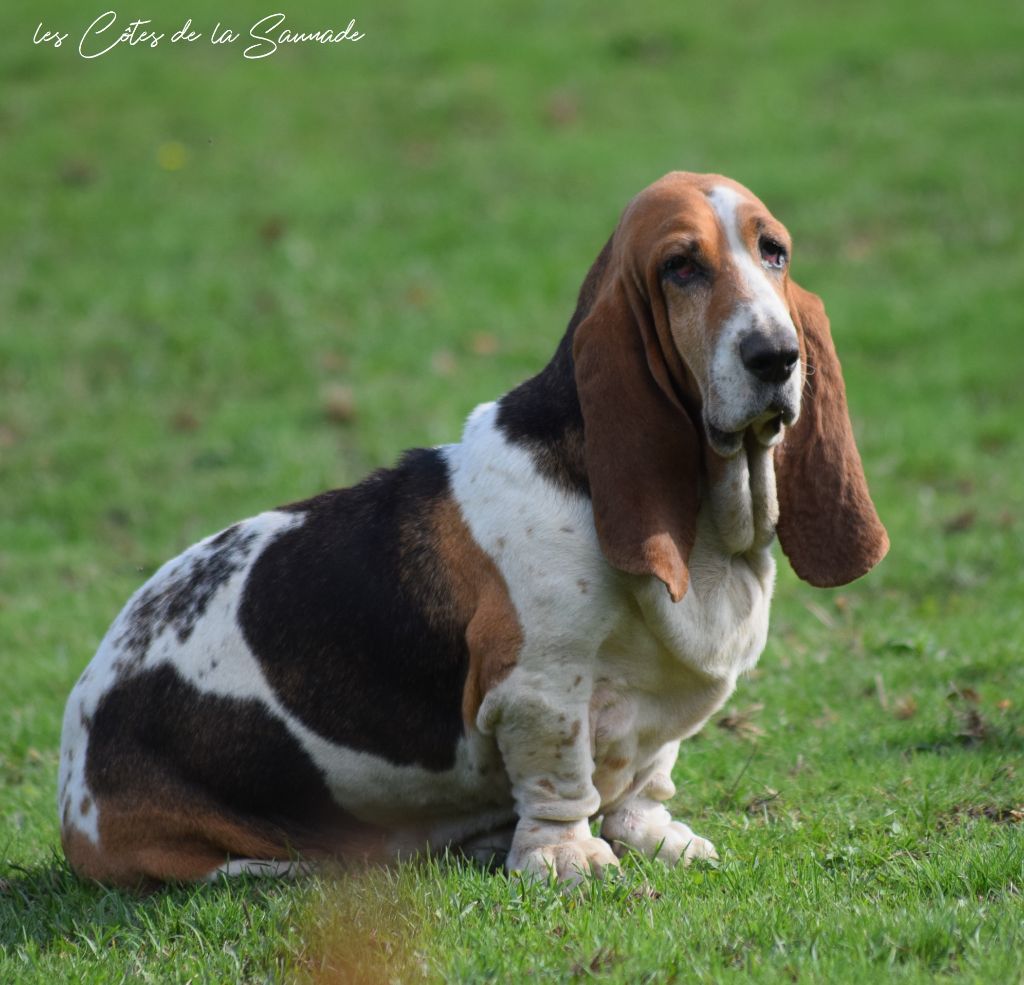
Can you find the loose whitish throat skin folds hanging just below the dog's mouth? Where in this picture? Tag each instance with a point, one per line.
(741, 495)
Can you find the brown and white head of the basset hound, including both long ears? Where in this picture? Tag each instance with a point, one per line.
(691, 339)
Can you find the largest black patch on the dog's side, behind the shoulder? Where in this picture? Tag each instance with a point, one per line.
(347, 616)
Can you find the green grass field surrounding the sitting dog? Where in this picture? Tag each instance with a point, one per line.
(230, 284)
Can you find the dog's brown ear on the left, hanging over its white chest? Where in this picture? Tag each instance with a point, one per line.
(641, 447)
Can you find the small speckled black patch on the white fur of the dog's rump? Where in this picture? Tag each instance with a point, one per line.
(181, 601)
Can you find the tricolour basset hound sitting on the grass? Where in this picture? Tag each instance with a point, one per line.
(496, 644)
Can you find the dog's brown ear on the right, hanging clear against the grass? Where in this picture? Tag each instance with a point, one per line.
(828, 525)
